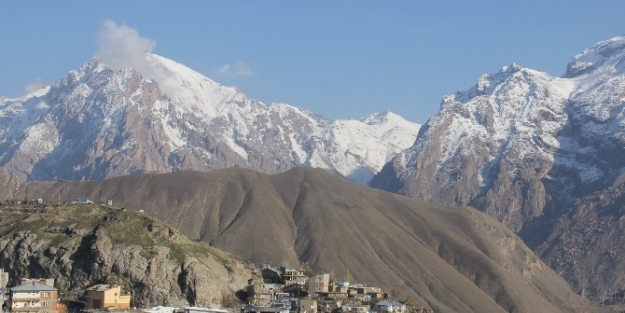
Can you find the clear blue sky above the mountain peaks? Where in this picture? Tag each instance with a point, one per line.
(341, 59)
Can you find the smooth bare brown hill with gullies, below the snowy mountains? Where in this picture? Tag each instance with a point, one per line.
(445, 258)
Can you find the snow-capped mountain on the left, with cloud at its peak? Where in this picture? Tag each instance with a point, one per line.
(99, 123)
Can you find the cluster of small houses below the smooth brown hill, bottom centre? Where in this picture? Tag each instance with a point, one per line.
(285, 289)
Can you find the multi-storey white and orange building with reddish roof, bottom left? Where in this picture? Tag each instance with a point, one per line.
(33, 297)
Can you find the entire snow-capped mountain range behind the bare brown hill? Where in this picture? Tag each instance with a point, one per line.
(541, 154)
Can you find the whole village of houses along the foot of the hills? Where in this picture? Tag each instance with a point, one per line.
(280, 289)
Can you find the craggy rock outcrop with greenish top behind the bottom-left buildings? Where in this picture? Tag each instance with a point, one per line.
(81, 245)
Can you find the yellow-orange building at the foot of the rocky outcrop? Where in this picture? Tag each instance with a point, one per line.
(104, 296)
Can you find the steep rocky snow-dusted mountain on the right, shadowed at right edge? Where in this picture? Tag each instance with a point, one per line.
(542, 154)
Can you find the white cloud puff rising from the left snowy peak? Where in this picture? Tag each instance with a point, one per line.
(120, 46)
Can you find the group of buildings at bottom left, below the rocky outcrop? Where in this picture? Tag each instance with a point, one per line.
(40, 296)
